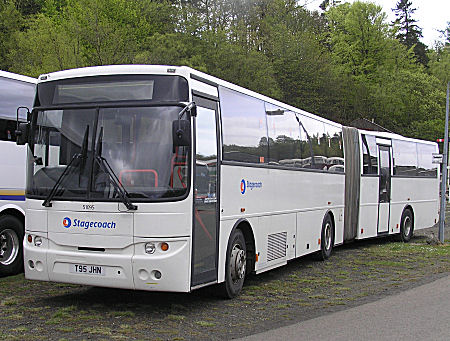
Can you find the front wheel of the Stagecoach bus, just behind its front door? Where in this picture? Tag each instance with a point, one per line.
(235, 265)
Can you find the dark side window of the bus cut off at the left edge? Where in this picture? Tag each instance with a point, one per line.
(14, 93)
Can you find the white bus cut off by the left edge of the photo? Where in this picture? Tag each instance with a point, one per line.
(16, 91)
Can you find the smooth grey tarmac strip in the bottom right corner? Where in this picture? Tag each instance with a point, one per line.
(422, 313)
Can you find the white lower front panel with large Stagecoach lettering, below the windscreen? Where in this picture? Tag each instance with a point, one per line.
(124, 259)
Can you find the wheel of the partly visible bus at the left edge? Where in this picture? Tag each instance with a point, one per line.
(11, 247)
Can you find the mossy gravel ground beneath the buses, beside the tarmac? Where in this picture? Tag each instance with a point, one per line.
(356, 273)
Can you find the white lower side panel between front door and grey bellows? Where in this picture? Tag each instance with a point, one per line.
(294, 202)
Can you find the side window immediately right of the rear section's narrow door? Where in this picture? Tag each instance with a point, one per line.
(405, 158)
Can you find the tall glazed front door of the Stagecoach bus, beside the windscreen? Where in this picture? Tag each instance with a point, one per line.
(205, 227)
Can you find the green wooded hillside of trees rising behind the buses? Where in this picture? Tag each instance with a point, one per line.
(342, 64)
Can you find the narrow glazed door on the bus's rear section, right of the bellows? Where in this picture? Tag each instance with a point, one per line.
(384, 196)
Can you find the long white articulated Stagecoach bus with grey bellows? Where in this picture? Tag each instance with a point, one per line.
(164, 178)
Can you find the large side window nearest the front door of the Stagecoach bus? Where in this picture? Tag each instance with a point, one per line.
(244, 127)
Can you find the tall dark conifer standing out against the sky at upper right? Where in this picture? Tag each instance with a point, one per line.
(409, 33)
